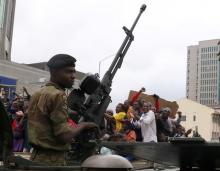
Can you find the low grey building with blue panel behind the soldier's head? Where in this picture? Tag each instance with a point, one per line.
(14, 76)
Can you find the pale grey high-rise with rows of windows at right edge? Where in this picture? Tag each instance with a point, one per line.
(203, 78)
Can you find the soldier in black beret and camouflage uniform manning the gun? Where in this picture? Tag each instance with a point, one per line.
(49, 132)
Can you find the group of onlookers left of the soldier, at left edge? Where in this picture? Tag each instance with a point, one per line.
(17, 112)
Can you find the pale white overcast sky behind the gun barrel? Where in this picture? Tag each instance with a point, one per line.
(90, 30)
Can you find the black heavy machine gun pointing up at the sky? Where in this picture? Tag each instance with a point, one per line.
(92, 108)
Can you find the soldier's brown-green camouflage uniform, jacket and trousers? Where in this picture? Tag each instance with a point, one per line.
(47, 120)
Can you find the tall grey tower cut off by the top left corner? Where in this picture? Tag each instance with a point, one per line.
(7, 10)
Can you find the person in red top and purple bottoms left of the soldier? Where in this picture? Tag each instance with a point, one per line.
(18, 132)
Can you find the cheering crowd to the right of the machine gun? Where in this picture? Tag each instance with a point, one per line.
(139, 120)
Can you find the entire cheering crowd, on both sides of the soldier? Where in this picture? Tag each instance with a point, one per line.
(134, 120)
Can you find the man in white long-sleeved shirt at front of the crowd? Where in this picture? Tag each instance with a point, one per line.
(147, 123)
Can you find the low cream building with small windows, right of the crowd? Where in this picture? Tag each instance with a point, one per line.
(204, 118)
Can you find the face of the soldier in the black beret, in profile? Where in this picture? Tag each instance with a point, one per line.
(66, 76)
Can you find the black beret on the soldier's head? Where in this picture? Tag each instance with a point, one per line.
(60, 61)
